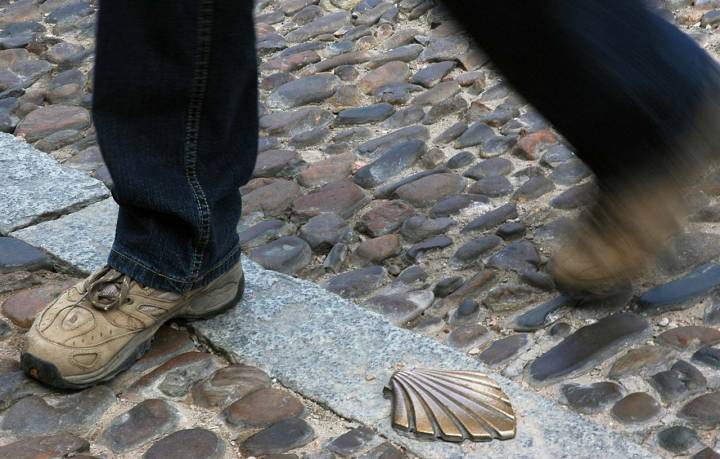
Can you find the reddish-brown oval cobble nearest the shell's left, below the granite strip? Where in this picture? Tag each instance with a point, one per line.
(262, 408)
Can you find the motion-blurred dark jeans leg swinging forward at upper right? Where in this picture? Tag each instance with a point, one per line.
(620, 83)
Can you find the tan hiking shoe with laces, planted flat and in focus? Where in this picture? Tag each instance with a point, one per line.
(103, 324)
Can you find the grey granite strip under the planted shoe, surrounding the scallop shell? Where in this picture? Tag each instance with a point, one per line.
(341, 355)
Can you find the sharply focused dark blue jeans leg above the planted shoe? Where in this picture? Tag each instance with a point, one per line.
(175, 108)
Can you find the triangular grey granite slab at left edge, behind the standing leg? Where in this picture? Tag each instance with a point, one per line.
(34, 186)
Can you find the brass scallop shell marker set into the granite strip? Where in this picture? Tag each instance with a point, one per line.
(451, 405)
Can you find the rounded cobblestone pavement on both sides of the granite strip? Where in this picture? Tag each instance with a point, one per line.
(398, 170)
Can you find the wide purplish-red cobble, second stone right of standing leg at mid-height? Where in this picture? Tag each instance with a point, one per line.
(343, 197)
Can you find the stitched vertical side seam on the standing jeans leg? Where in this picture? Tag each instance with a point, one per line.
(192, 130)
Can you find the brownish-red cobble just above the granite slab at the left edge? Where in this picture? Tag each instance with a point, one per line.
(52, 118)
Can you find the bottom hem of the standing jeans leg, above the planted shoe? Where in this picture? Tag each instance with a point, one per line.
(138, 271)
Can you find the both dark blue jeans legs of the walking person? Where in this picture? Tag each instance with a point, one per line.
(175, 107)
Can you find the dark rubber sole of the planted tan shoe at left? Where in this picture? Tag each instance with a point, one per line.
(47, 373)
